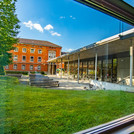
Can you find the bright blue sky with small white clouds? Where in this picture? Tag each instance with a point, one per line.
(65, 22)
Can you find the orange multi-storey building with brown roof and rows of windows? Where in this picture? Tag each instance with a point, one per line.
(32, 55)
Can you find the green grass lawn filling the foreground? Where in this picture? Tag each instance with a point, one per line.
(31, 110)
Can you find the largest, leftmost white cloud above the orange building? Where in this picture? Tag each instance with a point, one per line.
(33, 25)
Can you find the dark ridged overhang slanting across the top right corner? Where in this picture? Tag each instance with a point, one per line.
(116, 8)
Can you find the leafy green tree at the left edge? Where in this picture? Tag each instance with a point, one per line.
(9, 26)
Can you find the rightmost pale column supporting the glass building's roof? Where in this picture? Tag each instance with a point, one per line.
(131, 65)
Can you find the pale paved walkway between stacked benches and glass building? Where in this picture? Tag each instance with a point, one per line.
(64, 83)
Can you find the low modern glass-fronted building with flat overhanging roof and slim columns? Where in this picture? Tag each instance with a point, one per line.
(108, 60)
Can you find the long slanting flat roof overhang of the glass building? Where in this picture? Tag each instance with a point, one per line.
(117, 44)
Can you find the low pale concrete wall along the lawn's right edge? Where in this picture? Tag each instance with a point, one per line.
(111, 86)
